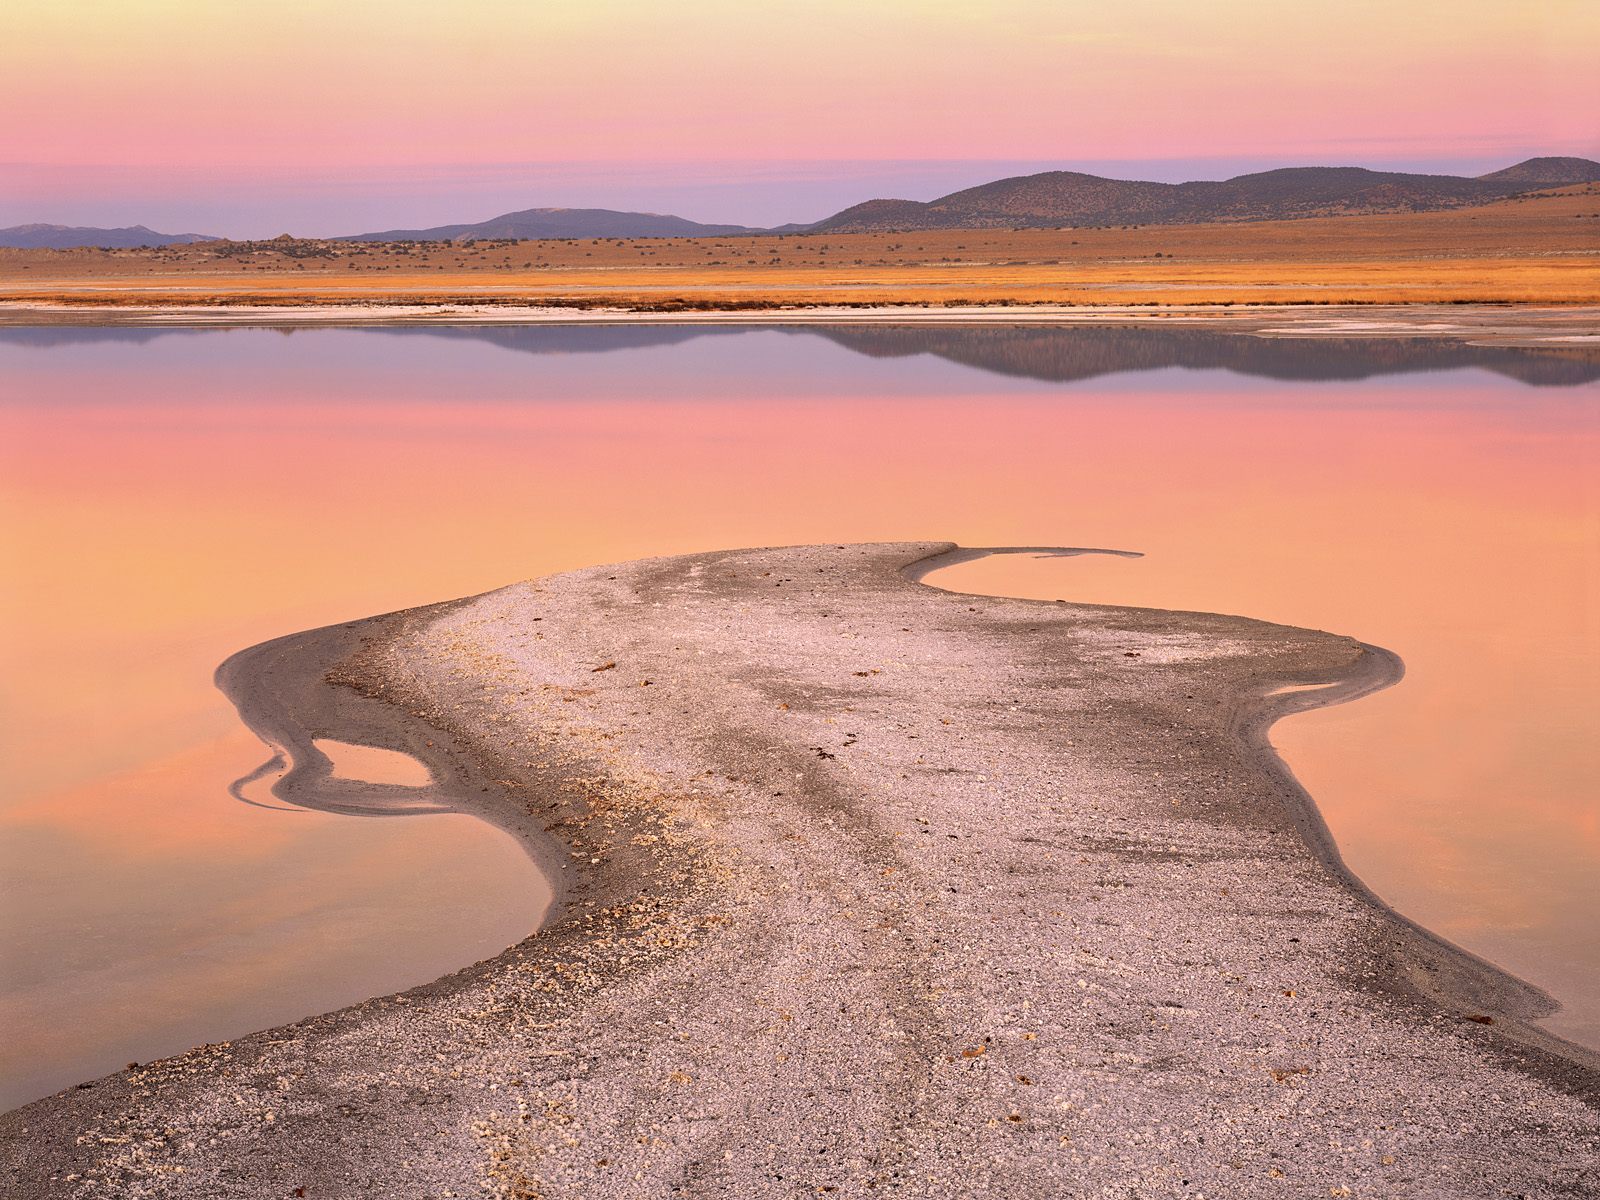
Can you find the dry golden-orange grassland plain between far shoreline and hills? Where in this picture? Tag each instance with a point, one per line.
(1540, 250)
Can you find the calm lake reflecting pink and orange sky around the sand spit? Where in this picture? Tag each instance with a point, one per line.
(177, 495)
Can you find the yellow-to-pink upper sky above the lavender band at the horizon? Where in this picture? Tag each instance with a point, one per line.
(303, 84)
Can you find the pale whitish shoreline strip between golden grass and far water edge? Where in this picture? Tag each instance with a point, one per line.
(1575, 329)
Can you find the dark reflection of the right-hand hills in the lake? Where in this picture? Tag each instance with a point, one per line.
(1084, 353)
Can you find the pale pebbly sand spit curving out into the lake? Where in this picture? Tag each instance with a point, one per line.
(863, 887)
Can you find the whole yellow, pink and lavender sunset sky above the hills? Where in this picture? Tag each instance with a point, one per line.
(313, 118)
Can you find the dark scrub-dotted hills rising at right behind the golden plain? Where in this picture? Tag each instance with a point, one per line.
(1076, 199)
